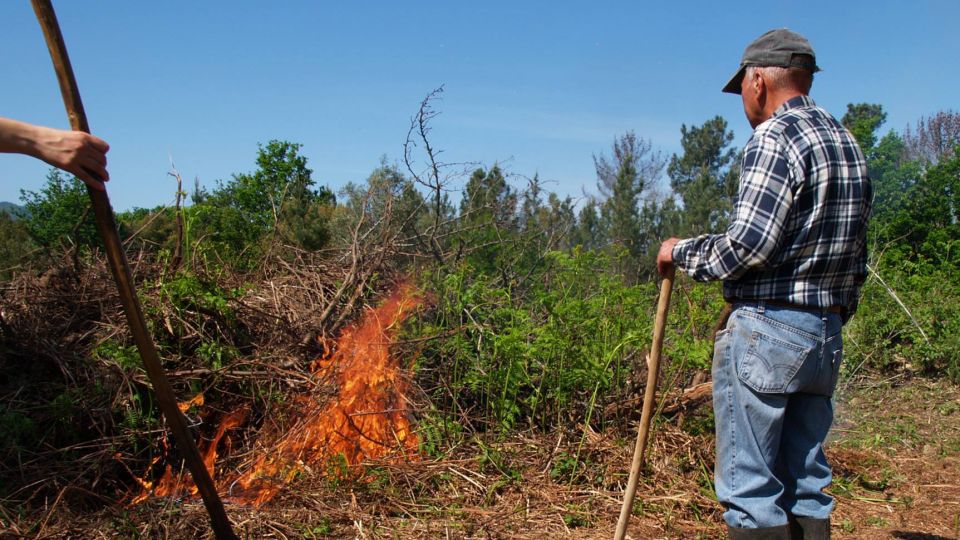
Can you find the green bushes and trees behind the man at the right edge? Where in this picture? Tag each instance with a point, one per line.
(917, 257)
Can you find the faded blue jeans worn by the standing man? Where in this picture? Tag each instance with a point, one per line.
(774, 372)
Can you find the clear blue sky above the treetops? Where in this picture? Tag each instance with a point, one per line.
(539, 87)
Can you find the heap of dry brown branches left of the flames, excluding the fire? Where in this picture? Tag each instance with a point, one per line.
(71, 385)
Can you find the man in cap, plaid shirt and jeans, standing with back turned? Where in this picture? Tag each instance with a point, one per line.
(792, 262)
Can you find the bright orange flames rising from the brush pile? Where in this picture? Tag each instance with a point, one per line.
(367, 419)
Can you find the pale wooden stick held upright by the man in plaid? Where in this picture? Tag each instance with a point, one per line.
(649, 397)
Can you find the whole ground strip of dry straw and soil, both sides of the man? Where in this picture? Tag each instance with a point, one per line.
(895, 450)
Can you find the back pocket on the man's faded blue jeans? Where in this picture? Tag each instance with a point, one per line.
(770, 363)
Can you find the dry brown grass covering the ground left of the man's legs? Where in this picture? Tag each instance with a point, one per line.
(511, 489)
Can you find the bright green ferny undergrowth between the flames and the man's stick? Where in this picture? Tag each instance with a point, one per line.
(543, 357)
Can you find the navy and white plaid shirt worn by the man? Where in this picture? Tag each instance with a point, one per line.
(799, 226)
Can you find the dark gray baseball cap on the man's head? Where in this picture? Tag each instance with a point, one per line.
(781, 48)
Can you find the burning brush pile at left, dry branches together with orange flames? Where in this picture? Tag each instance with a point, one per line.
(238, 355)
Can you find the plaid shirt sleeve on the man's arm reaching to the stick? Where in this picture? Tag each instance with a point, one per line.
(759, 216)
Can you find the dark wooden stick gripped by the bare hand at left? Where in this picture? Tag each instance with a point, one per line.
(121, 273)
